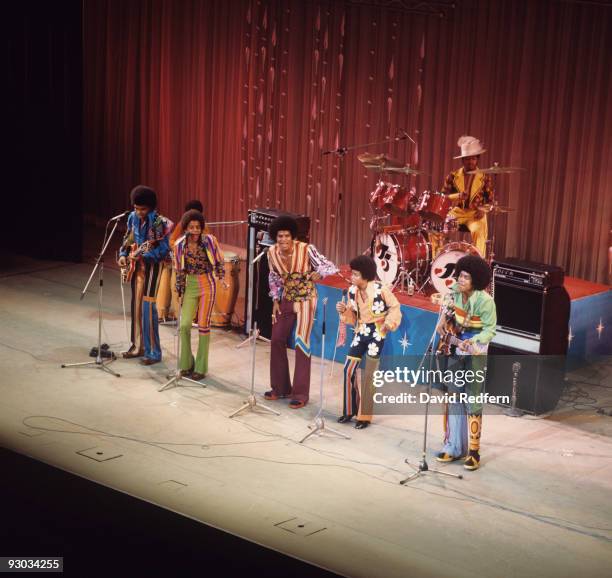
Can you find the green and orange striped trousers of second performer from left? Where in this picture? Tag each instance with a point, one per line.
(199, 296)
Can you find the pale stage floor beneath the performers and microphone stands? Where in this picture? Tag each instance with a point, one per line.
(539, 506)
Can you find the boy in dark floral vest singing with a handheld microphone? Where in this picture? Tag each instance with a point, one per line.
(374, 311)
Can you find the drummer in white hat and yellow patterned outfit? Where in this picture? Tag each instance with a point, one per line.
(470, 192)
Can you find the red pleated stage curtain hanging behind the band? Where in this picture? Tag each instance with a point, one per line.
(233, 102)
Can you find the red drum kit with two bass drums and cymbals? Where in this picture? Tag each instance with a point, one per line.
(412, 242)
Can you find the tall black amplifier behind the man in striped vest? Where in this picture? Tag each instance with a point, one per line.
(258, 303)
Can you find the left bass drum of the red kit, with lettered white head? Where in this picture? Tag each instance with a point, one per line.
(409, 250)
